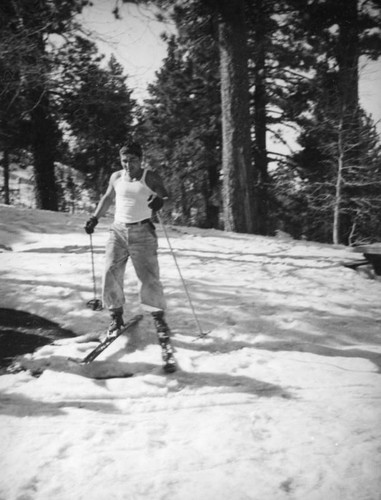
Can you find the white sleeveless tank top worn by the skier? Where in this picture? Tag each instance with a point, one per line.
(131, 199)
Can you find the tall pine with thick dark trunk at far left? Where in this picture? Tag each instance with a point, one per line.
(28, 24)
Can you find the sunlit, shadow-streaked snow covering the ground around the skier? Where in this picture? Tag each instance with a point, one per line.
(281, 400)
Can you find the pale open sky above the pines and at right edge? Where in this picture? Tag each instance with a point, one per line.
(135, 41)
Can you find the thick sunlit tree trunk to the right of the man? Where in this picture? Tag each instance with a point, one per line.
(238, 175)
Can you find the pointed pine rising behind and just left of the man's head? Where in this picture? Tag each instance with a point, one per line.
(98, 109)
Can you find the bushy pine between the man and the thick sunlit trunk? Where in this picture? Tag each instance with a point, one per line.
(181, 128)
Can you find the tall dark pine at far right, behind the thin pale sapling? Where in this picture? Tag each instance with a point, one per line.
(335, 34)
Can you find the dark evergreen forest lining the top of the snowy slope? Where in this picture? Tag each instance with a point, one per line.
(238, 80)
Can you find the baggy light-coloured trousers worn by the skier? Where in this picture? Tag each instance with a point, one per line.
(138, 242)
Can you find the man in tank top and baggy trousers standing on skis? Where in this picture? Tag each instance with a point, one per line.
(136, 192)
